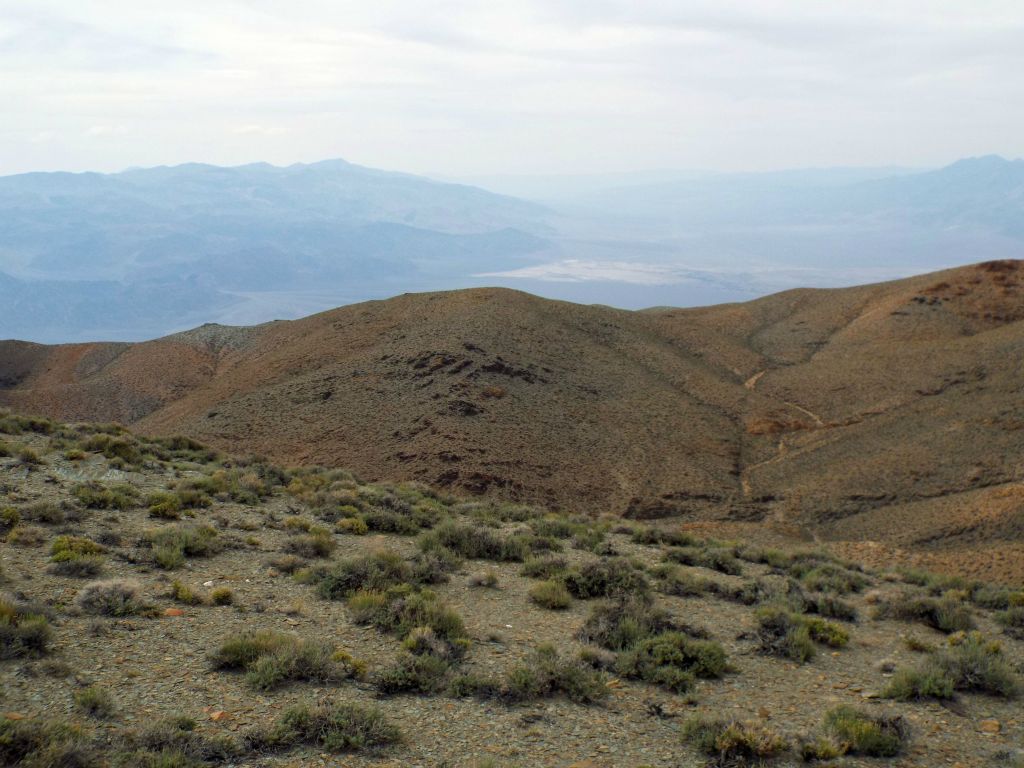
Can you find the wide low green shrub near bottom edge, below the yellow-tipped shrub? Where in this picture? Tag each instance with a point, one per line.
(335, 728)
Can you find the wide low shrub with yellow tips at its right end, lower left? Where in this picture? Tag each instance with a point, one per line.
(271, 659)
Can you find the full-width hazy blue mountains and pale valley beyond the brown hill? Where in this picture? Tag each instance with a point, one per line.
(145, 252)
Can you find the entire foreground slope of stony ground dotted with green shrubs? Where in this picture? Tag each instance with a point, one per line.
(163, 605)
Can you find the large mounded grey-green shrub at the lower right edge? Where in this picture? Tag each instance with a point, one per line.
(968, 664)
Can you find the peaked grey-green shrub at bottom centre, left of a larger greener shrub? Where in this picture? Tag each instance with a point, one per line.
(548, 674)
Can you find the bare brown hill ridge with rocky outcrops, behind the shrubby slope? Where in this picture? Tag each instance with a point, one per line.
(889, 413)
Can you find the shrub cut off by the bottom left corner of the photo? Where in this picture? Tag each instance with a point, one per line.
(50, 744)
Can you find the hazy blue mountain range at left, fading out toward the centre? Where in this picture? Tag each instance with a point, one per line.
(143, 249)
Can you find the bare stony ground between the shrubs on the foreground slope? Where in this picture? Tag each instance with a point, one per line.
(157, 663)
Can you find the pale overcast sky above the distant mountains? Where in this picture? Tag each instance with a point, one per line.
(524, 87)
